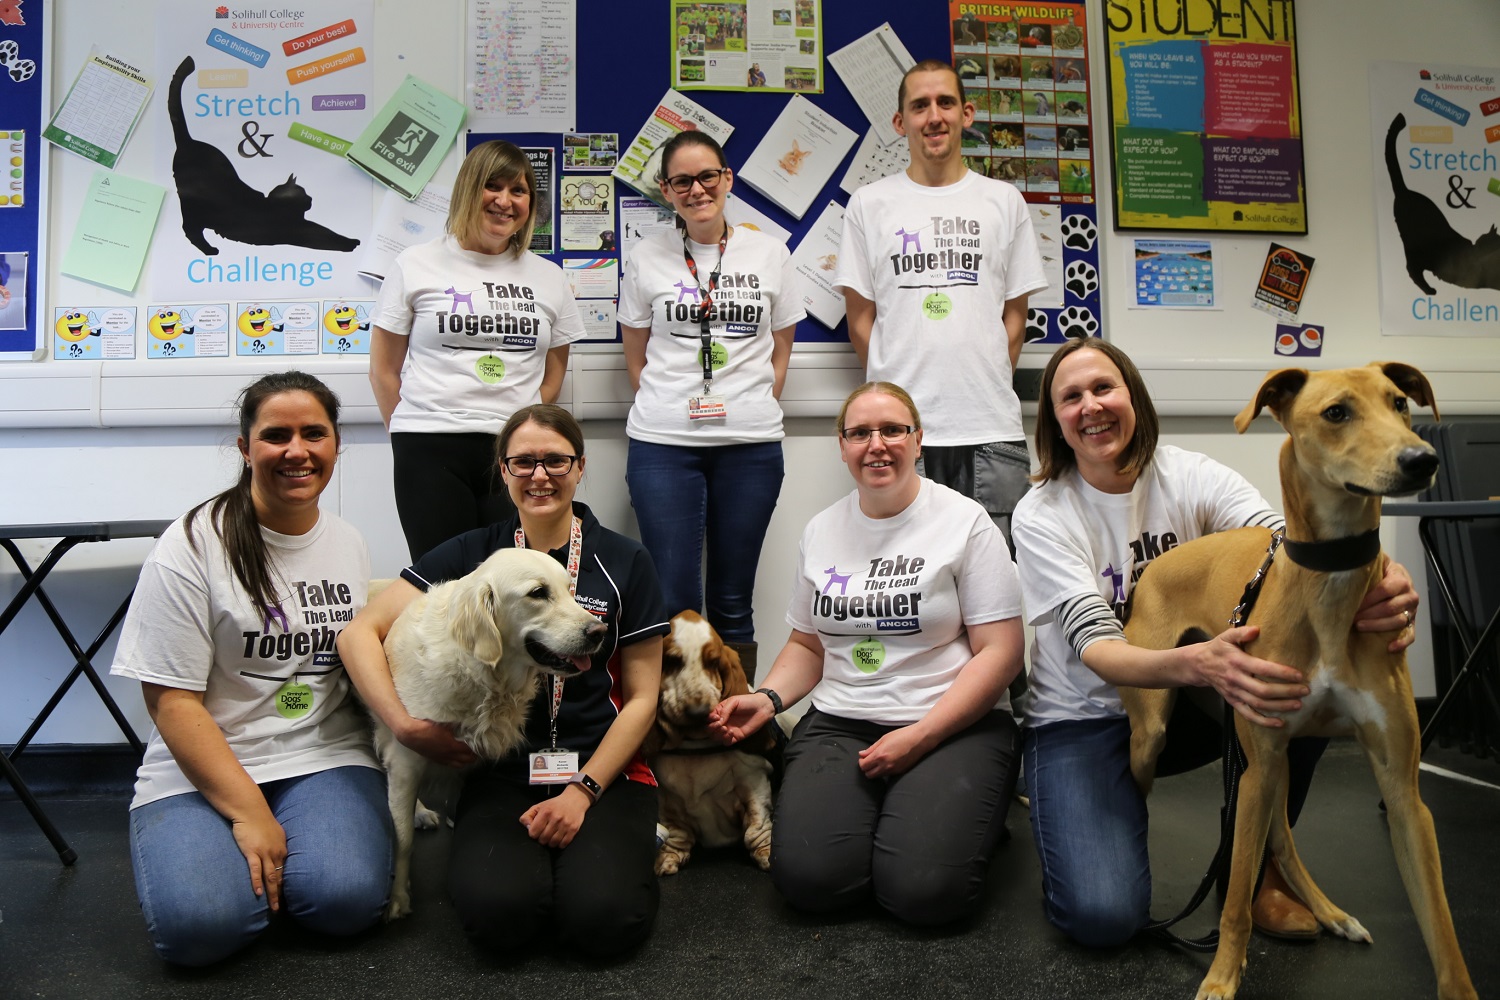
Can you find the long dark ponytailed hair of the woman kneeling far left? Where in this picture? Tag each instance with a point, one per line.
(232, 513)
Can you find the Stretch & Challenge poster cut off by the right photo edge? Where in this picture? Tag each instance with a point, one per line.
(1436, 143)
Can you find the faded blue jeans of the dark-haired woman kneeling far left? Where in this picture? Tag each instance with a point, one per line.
(196, 885)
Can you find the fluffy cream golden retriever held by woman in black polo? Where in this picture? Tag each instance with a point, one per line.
(470, 653)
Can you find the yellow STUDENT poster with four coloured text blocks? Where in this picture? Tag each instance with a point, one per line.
(1205, 118)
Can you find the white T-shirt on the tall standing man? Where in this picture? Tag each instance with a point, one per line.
(940, 265)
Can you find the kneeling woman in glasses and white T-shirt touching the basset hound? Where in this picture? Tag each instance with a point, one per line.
(907, 633)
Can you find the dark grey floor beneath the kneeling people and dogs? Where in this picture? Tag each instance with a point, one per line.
(724, 932)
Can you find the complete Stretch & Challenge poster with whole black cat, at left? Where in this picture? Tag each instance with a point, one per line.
(254, 107)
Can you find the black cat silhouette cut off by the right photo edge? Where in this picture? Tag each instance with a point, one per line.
(1430, 241)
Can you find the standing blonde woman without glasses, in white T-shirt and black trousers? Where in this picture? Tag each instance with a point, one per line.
(469, 329)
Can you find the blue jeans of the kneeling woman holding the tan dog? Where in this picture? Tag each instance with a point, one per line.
(1090, 825)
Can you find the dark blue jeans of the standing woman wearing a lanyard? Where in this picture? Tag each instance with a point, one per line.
(721, 497)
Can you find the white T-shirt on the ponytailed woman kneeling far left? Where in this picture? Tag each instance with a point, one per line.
(277, 689)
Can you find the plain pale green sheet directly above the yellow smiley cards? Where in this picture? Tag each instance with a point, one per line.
(115, 232)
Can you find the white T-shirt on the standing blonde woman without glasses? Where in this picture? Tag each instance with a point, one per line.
(479, 329)
